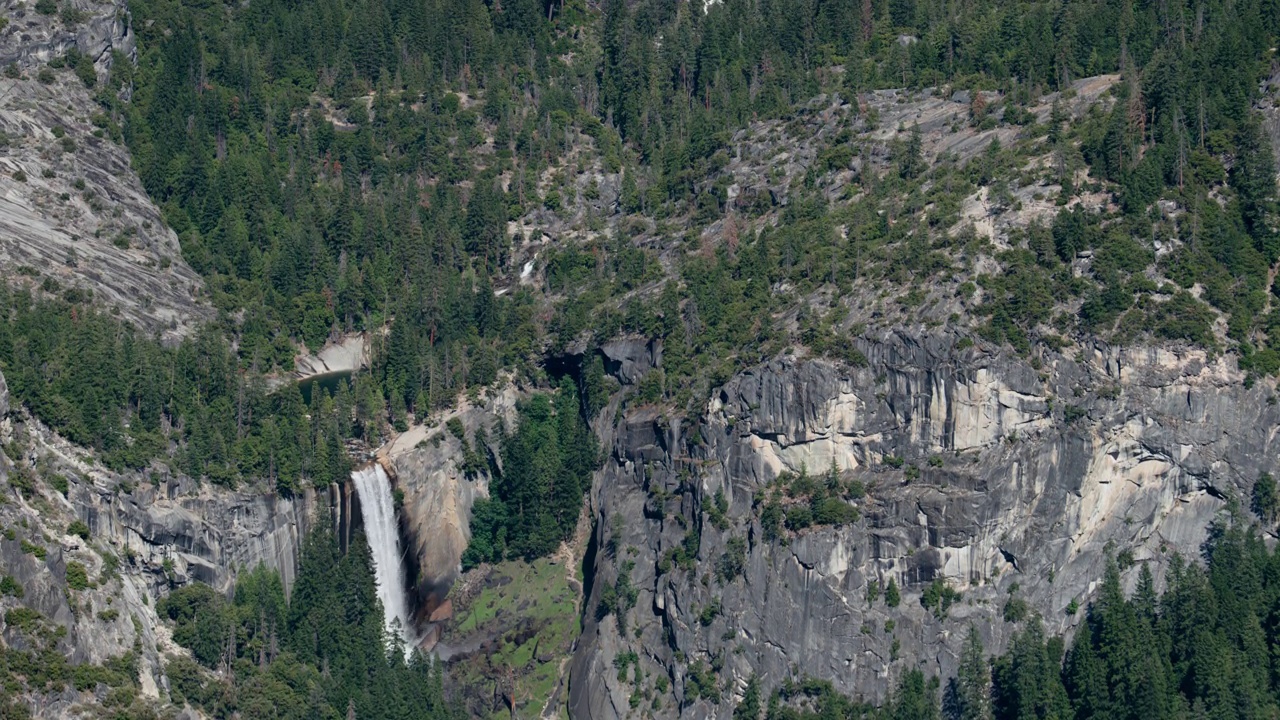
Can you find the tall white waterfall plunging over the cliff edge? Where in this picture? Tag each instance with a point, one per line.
(378, 511)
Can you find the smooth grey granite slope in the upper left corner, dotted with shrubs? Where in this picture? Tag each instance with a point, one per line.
(74, 215)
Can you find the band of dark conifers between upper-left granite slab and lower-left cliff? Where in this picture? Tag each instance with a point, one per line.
(103, 386)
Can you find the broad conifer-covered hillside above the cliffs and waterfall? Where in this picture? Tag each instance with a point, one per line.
(350, 167)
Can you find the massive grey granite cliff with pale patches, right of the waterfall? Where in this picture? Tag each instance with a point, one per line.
(985, 471)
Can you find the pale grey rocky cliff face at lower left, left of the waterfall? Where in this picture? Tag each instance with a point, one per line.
(143, 535)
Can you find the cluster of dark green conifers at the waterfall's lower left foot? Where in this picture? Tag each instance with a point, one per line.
(321, 654)
